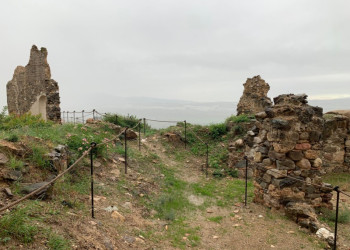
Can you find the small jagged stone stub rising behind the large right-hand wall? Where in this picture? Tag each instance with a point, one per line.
(254, 98)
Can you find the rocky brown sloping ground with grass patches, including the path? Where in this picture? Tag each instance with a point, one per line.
(163, 202)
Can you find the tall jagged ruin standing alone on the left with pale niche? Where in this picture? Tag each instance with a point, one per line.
(32, 89)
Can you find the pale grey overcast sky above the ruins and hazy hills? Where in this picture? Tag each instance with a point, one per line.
(197, 50)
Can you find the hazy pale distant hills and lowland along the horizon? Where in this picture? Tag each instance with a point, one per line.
(179, 110)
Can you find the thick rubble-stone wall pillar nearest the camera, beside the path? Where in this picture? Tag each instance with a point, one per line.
(289, 144)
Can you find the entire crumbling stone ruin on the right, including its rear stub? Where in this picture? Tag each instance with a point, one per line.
(290, 145)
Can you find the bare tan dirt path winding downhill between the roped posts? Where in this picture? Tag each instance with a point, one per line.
(233, 226)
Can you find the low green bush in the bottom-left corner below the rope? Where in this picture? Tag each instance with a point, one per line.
(15, 225)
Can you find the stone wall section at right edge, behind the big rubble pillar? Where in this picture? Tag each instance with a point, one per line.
(336, 149)
